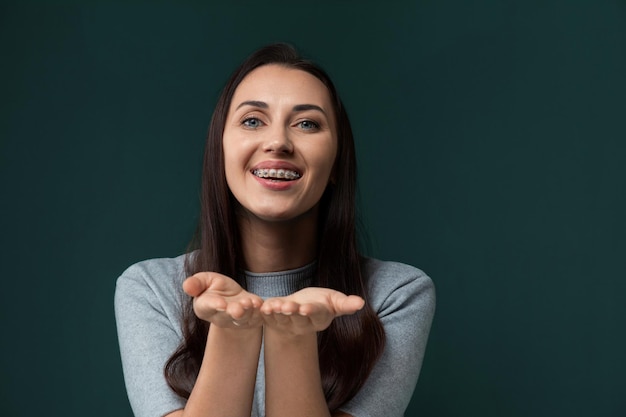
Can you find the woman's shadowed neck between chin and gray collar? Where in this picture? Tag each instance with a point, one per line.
(278, 245)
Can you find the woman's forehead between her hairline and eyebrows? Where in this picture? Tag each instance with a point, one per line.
(275, 84)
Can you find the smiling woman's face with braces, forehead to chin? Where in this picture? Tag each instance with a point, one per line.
(280, 142)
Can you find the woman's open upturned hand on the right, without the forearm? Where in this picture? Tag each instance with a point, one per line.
(309, 310)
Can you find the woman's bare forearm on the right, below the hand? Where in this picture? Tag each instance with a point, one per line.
(293, 384)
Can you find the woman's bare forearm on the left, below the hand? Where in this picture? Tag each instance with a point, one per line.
(225, 383)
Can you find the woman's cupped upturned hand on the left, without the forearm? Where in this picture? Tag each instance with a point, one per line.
(221, 301)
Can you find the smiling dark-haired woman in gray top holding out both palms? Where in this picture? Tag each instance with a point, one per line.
(281, 316)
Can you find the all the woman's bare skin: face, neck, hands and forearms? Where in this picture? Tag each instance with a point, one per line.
(277, 115)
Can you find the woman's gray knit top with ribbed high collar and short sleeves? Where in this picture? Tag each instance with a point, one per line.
(148, 301)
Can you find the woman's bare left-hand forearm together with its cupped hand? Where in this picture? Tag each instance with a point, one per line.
(225, 383)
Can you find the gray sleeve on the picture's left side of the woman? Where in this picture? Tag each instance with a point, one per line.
(146, 312)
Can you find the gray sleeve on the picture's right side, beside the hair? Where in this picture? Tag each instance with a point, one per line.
(404, 298)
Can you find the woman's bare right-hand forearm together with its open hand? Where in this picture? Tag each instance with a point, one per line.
(293, 384)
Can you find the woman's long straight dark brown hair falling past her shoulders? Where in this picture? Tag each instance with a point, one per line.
(352, 344)
